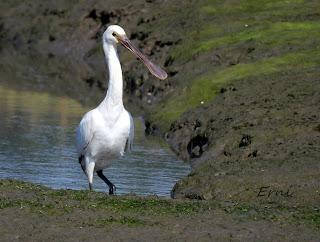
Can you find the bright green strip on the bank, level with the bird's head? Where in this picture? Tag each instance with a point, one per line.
(264, 33)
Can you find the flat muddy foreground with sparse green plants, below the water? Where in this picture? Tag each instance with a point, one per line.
(34, 213)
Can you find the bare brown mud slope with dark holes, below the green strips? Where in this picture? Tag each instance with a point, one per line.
(260, 132)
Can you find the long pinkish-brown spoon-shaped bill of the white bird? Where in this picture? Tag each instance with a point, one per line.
(153, 68)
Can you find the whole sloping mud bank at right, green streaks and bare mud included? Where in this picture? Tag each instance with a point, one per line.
(245, 112)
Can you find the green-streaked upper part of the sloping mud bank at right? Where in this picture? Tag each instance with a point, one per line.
(284, 29)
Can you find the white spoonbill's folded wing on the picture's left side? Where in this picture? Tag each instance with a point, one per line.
(84, 133)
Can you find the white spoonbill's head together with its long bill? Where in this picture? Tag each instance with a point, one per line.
(115, 34)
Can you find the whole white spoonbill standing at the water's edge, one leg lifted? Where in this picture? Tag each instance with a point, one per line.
(107, 131)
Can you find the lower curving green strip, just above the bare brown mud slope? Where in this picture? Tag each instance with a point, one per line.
(206, 87)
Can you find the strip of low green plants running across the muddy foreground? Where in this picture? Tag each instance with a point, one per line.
(135, 211)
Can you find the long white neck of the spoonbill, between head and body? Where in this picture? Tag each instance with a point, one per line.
(114, 93)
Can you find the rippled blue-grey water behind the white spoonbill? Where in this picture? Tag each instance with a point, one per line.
(37, 144)
